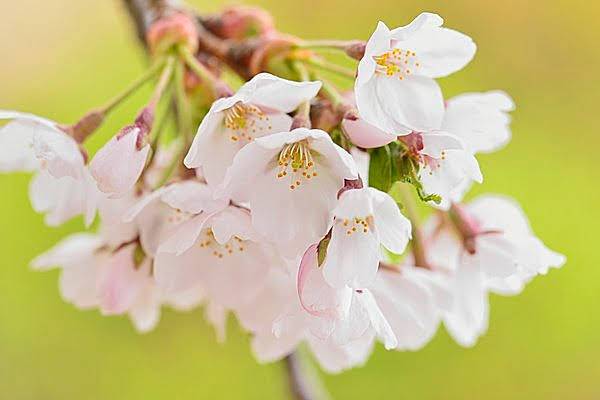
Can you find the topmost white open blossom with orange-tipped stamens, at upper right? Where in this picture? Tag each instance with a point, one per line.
(395, 89)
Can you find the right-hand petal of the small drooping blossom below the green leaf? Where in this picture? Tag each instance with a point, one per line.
(393, 228)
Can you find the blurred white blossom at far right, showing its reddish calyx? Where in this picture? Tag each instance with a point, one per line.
(497, 251)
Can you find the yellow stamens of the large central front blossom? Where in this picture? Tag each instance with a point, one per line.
(296, 162)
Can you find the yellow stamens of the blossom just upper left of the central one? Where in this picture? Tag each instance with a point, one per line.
(246, 121)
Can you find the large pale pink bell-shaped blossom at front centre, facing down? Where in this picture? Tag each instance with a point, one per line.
(290, 181)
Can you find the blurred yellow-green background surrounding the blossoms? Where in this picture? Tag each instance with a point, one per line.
(62, 57)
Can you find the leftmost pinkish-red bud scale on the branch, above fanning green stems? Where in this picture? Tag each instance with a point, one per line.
(171, 30)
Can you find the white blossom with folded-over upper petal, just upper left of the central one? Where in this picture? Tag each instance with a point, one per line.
(259, 108)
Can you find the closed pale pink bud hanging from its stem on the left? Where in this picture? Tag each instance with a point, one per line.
(117, 166)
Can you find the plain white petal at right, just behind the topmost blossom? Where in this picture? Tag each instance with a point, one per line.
(480, 120)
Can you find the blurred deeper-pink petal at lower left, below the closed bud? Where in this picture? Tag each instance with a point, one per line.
(120, 282)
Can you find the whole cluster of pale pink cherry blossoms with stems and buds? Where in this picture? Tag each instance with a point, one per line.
(294, 205)
